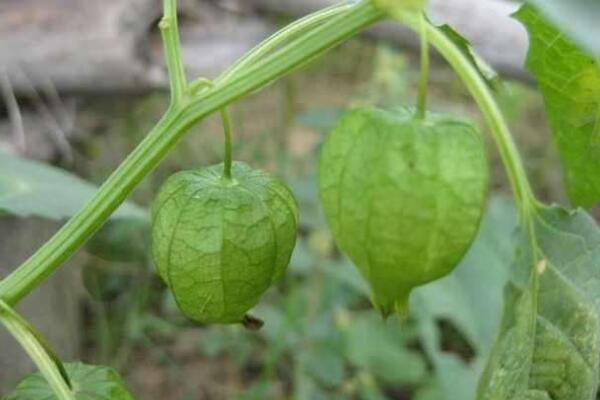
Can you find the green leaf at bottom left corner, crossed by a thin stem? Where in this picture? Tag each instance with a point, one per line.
(89, 382)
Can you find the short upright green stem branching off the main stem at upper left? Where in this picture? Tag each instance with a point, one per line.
(169, 30)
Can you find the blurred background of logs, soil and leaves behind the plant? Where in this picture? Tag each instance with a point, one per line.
(83, 82)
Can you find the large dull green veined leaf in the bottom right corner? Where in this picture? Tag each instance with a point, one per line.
(549, 342)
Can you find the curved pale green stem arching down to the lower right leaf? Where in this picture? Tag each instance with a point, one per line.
(483, 96)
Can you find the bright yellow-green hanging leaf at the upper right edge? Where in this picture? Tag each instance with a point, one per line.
(570, 83)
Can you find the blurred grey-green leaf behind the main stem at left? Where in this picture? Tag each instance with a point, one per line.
(30, 188)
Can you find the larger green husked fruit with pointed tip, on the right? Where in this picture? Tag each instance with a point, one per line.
(404, 197)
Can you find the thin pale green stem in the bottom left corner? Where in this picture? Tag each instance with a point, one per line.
(49, 368)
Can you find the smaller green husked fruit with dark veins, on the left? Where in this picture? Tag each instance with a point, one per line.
(220, 243)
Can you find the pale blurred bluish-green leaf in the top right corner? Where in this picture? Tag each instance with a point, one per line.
(577, 18)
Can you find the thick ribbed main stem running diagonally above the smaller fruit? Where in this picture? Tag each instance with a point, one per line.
(168, 132)
